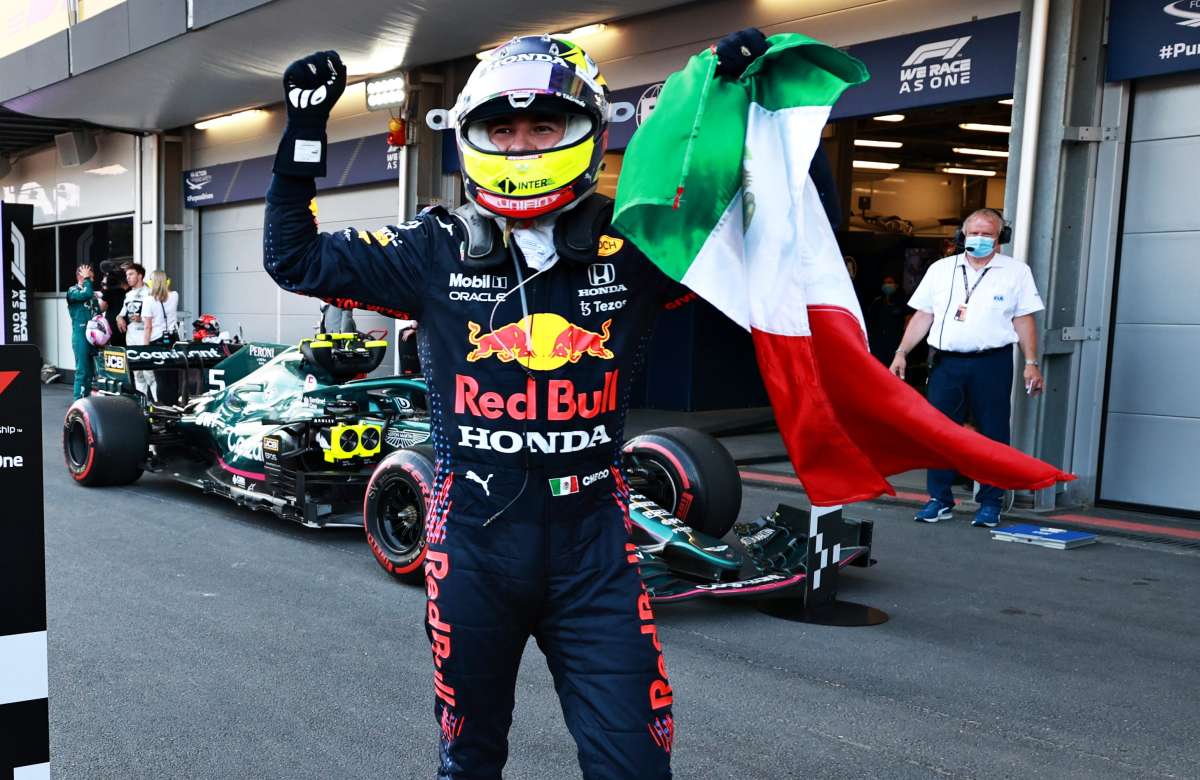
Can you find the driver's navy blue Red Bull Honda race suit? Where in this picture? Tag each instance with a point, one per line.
(529, 529)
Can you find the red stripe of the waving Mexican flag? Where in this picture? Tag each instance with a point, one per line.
(849, 423)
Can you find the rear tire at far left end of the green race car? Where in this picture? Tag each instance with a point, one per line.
(105, 441)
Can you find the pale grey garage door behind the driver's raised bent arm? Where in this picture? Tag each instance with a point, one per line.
(238, 291)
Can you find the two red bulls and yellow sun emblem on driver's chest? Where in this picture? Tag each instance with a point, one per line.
(542, 343)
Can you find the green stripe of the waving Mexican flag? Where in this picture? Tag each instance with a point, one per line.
(692, 145)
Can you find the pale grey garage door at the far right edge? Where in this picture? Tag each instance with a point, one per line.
(1153, 421)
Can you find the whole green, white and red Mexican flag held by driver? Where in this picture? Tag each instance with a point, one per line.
(716, 191)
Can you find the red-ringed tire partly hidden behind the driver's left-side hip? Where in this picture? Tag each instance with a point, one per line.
(394, 512)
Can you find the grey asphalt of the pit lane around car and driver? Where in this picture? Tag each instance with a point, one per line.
(193, 639)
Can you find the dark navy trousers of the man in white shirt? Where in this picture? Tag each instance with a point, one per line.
(982, 386)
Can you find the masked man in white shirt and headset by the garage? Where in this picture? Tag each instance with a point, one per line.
(974, 307)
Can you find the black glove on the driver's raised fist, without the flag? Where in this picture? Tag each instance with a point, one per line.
(311, 88)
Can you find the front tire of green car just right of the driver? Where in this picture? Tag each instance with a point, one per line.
(688, 473)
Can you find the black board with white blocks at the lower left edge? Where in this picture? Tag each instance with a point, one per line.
(25, 712)
